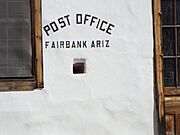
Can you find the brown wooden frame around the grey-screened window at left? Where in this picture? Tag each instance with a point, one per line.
(30, 83)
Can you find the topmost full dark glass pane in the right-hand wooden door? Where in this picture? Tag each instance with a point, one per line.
(167, 12)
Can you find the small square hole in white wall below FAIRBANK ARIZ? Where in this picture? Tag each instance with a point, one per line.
(79, 66)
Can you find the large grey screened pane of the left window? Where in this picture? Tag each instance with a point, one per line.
(15, 39)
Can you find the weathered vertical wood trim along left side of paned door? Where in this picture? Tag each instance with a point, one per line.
(158, 56)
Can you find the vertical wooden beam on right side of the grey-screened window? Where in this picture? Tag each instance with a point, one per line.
(38, 43)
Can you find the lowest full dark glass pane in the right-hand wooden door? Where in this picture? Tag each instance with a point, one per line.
(169, 73)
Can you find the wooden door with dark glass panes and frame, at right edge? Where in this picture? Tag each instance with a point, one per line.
(167, 63)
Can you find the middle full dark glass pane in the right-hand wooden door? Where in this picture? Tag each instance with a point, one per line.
(168, 42)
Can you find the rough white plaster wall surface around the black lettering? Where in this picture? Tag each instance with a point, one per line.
(114, 97)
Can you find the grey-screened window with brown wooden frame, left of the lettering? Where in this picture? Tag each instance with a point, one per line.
(20, 45)
